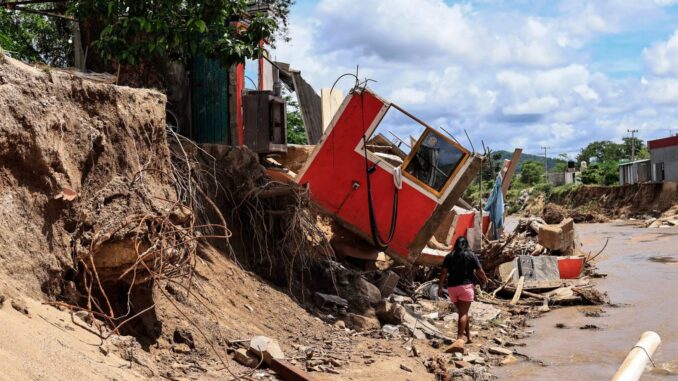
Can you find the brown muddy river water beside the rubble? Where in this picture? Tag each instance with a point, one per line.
(642, 268)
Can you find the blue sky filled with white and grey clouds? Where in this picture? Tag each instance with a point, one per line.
(527, 74)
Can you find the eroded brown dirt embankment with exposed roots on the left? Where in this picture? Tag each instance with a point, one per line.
(77, 160)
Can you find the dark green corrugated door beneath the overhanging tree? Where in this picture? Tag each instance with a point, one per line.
(209, 101)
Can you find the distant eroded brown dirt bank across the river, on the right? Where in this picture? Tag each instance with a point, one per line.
(598, 203)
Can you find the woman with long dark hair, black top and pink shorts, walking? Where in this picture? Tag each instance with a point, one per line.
(460, 269)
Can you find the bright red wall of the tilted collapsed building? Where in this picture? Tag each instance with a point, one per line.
(337, 165)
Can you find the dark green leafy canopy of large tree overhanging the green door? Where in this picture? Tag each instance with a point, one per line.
(140, 31)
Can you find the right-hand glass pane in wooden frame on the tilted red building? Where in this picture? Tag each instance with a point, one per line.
(434, 161)
